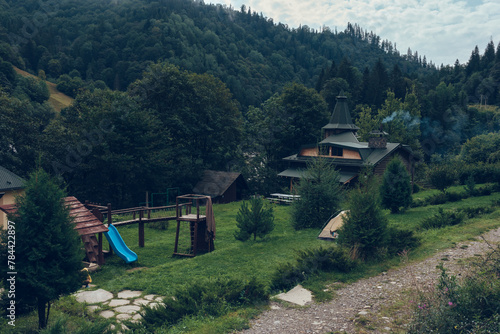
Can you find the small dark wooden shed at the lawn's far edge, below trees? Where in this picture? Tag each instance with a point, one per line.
(222, 187)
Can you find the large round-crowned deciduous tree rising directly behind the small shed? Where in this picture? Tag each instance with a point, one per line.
(204, 122)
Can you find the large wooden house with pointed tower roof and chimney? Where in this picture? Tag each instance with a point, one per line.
(341, 146)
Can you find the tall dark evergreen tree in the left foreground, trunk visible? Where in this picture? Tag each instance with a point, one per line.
(48, 251)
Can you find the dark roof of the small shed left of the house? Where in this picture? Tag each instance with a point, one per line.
(215, 183)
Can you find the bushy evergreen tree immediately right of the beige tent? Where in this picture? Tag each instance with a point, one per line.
(365, 227)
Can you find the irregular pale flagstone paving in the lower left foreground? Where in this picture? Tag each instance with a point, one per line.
(126, 305)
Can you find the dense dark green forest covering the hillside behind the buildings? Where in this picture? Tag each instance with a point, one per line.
(165, 89)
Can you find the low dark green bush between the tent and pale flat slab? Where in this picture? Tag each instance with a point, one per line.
(310, 262)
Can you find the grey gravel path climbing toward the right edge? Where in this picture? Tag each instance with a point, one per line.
(363, 301)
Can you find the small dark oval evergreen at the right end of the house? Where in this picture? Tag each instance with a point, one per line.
(395, 190)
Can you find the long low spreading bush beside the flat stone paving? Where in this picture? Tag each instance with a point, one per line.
(213, 297)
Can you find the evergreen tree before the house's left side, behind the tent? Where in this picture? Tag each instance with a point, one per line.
(320, 195)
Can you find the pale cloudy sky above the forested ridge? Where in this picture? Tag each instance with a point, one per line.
(442, 30)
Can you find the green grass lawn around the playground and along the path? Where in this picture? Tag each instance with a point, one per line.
(159, 273)
